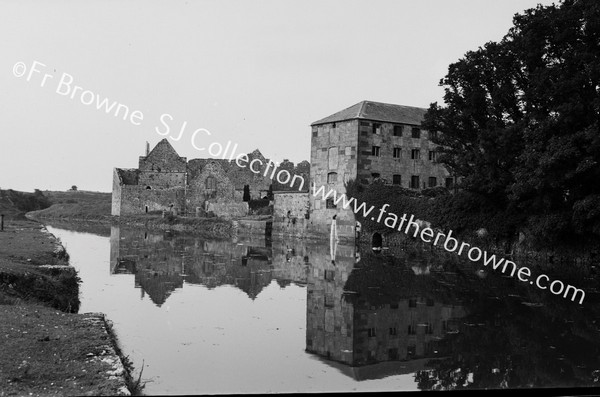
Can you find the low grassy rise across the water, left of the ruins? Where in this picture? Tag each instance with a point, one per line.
(75, 205)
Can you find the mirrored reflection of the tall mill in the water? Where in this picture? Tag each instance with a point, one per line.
(375, 332)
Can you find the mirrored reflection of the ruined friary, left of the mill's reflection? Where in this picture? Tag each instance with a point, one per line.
(162, 263)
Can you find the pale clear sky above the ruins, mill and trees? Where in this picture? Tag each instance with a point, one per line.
(245, 73)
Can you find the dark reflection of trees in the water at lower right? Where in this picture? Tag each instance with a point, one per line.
(503, 341)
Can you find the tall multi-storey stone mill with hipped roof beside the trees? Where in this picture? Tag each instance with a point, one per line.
(368, 141)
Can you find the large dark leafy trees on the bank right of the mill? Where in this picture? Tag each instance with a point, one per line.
(520, 123)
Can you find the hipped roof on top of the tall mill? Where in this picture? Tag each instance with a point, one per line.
(377, 111)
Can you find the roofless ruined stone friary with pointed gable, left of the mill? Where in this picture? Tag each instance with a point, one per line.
(165, 181)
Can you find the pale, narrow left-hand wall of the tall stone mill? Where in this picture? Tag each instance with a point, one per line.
(333, 160)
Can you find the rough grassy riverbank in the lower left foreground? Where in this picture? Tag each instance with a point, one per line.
(47, 349)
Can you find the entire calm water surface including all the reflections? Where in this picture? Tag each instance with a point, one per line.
(210, 317)
